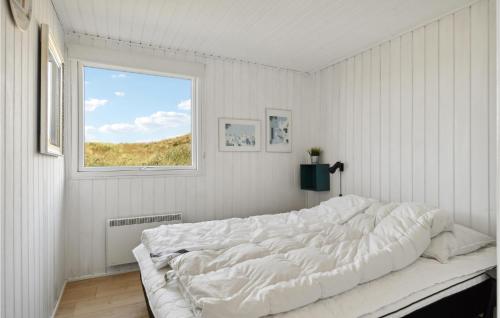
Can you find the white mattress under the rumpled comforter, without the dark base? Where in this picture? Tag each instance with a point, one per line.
(393, 295)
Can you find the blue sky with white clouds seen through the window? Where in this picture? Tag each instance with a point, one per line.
(133, 107)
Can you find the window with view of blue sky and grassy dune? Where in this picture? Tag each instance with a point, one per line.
(134, 120)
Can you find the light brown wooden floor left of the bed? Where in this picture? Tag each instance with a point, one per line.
(104, 297)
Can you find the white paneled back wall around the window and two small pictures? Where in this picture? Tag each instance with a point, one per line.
(232, 184)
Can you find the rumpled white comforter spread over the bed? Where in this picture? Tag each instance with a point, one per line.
(268, 264)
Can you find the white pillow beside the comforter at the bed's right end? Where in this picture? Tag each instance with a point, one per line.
(462, 240)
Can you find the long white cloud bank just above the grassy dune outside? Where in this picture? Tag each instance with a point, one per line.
(153, 122)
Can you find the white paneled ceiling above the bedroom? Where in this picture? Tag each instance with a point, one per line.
(303, 35)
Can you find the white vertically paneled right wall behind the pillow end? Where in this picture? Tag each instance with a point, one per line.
(414, 118)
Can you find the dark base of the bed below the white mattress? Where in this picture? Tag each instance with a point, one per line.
(473, 302)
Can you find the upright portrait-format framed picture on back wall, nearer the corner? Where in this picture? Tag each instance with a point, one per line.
(278, 130)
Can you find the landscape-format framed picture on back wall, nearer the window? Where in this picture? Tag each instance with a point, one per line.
(239, 135)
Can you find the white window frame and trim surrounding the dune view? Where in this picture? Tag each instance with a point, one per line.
(92, 172)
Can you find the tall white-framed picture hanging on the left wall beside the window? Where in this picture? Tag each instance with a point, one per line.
(51, 95)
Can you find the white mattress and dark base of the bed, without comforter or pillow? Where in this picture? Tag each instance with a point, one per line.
(460, 288)
